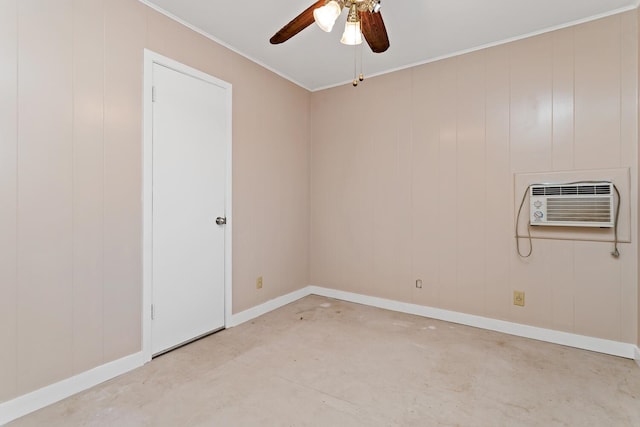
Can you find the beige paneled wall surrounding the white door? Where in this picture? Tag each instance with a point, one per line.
(70, 180)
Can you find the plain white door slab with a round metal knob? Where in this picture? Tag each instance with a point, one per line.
(188, 179)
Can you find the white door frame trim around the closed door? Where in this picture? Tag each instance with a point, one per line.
(151, 58)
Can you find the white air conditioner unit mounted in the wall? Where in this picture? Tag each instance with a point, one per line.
(572, 205)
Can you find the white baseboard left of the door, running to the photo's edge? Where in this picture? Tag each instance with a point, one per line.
(27, 403)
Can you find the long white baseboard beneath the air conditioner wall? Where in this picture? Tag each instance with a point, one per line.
(557, 337)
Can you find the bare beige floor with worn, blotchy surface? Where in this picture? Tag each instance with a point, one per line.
(323, 362)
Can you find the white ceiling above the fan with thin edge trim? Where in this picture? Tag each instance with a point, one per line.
(419, 31)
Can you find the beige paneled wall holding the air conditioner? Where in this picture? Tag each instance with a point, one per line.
(413, 172)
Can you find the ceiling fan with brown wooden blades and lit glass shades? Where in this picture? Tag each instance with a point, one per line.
(364, 19)
